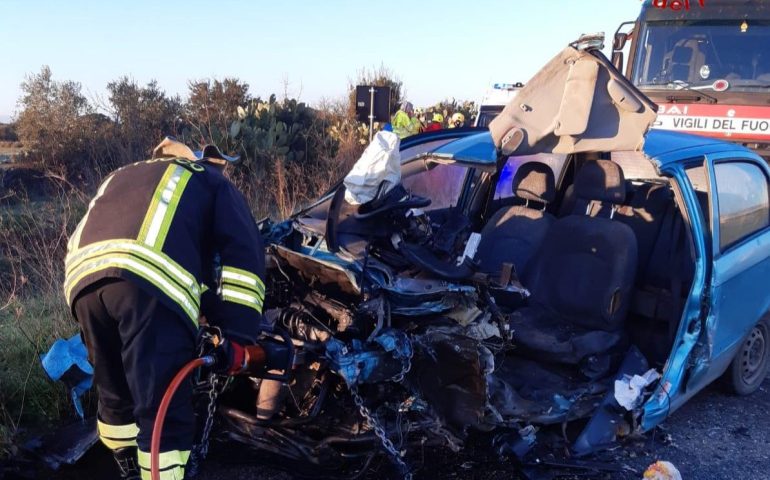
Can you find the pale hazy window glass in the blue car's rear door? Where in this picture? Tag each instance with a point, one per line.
(742, 197)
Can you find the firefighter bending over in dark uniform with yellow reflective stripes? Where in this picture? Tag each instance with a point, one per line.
(163, 242)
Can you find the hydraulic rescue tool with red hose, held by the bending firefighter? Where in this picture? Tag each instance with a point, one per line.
(273, 351)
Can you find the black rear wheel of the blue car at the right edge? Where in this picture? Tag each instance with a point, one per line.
(749, 367)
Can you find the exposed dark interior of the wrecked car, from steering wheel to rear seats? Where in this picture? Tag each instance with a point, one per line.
(598, 243)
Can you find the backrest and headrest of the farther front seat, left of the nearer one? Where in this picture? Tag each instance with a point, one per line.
(514, 233)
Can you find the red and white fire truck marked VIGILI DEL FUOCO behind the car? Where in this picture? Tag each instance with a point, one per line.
(706, 63)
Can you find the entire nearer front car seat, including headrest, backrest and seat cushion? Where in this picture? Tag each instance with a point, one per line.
(582, 277)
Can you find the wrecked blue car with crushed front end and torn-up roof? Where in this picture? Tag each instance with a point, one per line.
(566, 278)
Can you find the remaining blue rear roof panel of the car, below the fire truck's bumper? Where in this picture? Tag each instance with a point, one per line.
(666, 147)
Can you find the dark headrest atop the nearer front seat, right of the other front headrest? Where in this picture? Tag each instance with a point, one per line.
(601, 180)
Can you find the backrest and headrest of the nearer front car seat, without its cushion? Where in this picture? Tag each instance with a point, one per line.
(586, 267)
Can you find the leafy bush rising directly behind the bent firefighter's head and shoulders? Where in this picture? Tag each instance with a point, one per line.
(143, 116)
